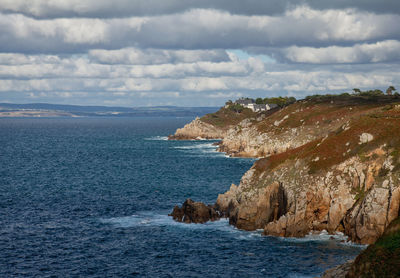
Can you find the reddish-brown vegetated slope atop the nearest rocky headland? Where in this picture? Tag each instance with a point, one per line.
(342, 144)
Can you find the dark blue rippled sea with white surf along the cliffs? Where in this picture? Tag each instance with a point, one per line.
(89, 197)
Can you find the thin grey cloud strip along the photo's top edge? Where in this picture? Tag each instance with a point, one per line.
(127, 8)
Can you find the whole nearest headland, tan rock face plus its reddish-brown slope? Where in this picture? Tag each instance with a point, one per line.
(347, 181)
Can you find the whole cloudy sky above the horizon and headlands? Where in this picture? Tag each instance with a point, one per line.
(193, 52)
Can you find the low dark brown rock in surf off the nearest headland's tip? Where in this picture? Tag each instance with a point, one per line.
(195, 212)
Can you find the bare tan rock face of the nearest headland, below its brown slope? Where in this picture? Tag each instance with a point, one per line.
(351, 197)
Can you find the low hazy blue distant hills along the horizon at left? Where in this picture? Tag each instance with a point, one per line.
(60, 110)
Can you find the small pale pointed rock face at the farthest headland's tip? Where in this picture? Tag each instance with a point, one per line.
(197, 130)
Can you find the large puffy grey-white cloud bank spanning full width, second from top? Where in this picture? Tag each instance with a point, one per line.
(196, 29)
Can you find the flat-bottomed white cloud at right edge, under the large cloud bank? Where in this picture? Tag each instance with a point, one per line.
(385, 51)
